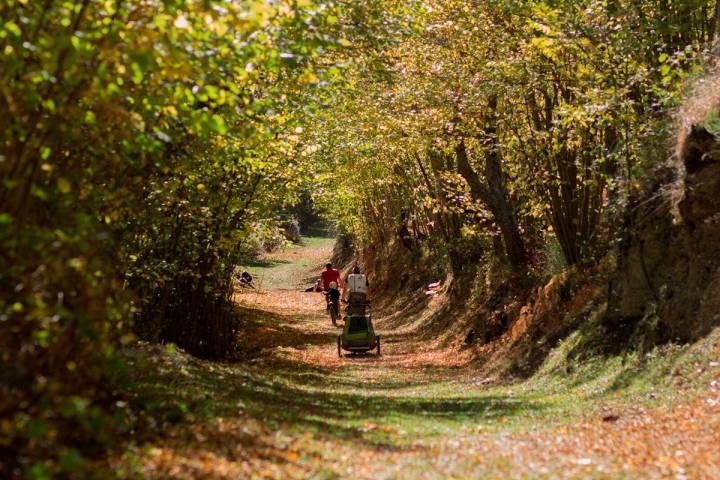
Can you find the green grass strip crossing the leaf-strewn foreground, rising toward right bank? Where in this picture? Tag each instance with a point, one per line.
(414, 403)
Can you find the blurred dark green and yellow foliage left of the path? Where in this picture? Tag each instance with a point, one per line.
(144, 147)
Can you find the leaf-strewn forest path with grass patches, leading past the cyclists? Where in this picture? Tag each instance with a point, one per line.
(293, 409)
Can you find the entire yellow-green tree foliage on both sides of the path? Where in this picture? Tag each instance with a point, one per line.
(148, 148)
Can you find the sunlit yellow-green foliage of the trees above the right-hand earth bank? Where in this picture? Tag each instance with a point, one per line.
(571, 96)
